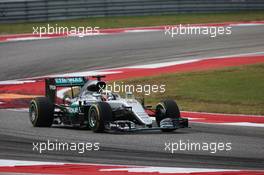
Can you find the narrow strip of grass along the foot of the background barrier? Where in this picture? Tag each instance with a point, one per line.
(115, 22)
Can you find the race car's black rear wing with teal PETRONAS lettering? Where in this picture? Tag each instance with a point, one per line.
(51, 85)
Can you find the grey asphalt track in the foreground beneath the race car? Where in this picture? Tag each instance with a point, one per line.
(141, 148)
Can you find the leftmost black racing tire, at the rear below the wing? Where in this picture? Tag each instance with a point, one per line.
(41, 112)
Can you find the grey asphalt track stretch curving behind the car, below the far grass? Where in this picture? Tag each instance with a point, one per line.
(42, 57)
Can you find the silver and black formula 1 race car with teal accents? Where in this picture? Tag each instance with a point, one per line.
(99, 109)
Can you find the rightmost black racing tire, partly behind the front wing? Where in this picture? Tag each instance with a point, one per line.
(167, 109)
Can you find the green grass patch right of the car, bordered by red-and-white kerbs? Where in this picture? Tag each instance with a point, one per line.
(238, 90)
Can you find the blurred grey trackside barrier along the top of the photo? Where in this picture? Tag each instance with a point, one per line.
(45, 10)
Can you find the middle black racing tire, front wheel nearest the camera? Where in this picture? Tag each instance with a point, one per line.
(98, 115)
